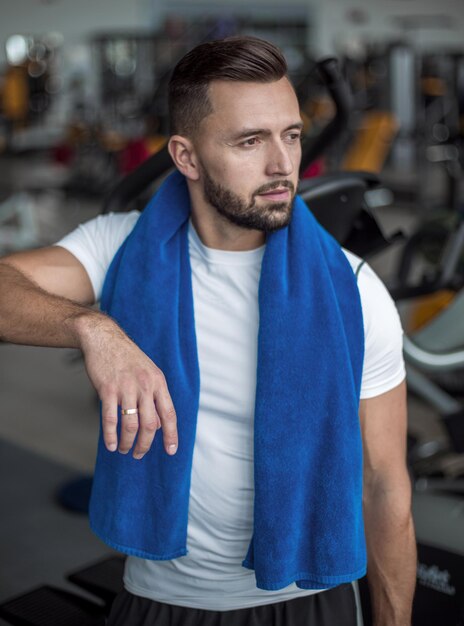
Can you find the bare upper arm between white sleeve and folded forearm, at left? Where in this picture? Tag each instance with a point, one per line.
(56, 270)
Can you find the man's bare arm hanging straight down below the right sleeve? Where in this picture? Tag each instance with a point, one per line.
(387, 508)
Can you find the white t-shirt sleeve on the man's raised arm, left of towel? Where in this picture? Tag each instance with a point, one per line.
(95, 243)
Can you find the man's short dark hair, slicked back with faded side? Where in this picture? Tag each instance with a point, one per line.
(243, 58)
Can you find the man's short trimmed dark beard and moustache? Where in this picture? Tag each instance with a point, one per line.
(267, 217)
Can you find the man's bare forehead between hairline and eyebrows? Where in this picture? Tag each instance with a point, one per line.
(259, 105)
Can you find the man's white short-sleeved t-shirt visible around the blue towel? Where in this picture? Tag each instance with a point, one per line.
(220, 523)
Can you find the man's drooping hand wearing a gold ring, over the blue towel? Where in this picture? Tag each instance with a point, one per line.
(123, 375)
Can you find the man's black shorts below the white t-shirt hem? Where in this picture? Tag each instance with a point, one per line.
(334, 607)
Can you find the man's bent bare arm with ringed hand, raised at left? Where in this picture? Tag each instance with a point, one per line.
(45, 298)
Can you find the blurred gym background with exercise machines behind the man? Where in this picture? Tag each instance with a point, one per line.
(83, 104)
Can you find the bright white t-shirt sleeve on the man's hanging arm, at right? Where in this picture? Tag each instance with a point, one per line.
(383, 356)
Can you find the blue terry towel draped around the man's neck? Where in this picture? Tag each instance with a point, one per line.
(308, 525)
